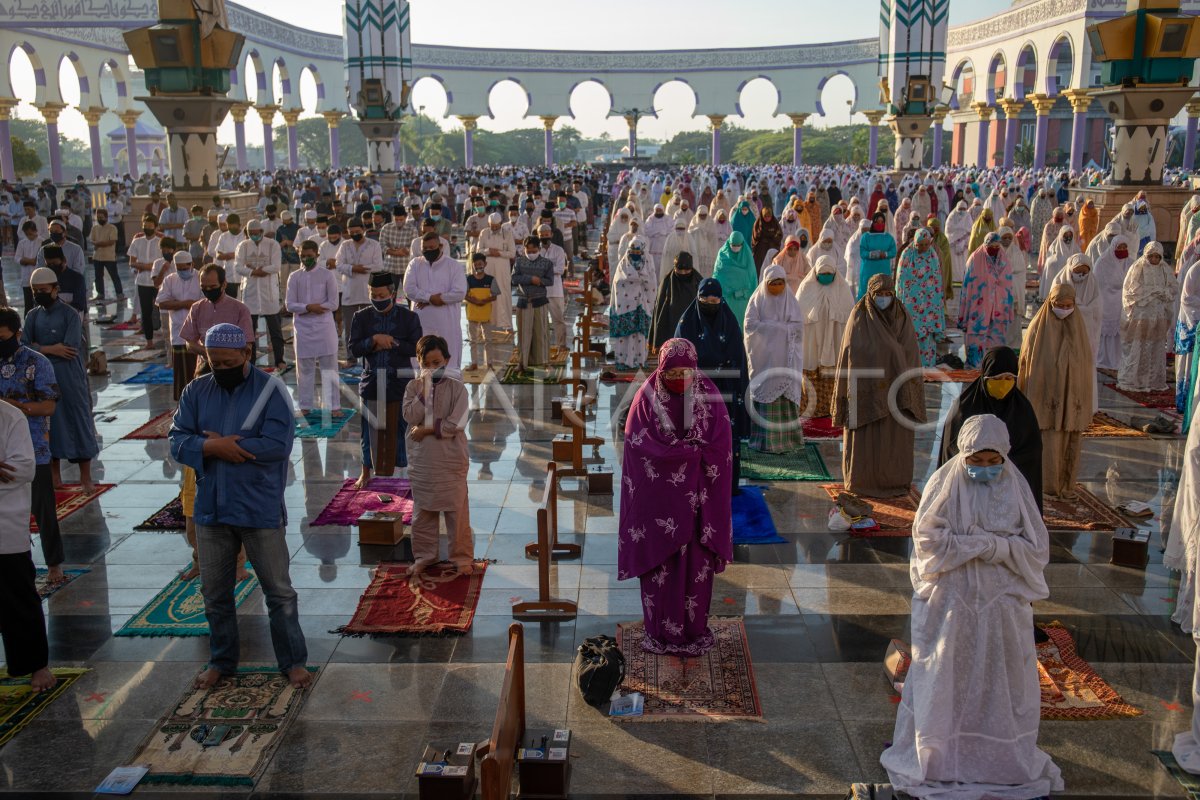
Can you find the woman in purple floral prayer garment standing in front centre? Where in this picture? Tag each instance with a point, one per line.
(676, 528)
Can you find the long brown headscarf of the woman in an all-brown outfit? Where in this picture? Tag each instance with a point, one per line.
(879, 341)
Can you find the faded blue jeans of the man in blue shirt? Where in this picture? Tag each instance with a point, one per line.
(268, 555)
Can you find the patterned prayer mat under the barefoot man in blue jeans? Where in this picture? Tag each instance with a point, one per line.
(257, 703)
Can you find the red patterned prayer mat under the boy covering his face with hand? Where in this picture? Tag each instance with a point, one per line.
(439, 603)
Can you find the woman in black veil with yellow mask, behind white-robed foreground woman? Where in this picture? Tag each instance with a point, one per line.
(995, 393)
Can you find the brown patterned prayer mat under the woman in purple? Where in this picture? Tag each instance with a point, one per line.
(718, 685)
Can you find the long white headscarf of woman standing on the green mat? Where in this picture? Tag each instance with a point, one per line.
(775, 341)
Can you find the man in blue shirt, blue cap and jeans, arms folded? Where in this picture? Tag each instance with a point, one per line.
(236, 429)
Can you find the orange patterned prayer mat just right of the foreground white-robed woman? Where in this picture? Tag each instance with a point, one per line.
(1071, 689)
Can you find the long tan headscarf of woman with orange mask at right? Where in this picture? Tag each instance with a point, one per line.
(1058, 368)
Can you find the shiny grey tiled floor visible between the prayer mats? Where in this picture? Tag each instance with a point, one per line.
(819, 610)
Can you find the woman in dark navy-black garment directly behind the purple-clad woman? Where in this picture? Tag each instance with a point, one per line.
(721, 353)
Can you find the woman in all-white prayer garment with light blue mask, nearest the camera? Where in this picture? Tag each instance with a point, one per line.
(968, 724)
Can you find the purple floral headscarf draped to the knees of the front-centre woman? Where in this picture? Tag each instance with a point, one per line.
(675, 465)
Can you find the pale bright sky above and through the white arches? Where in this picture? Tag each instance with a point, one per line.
(676, 25)
